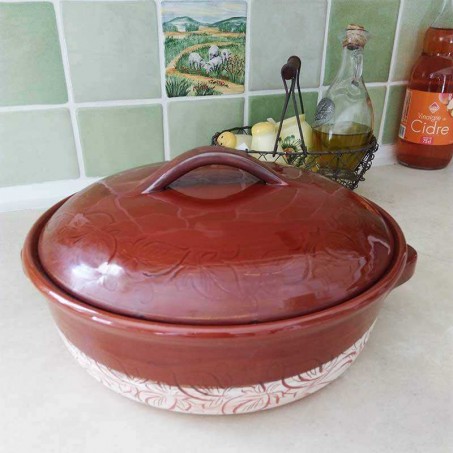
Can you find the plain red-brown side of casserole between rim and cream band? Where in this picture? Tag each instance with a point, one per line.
(212, 359)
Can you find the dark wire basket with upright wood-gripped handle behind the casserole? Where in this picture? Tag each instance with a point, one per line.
(346, 167)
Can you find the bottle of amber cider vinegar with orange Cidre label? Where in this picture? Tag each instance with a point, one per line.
(426, 130)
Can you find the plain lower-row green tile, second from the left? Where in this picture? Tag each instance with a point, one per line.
(118, 138)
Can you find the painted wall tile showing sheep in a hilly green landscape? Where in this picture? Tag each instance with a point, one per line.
(204, 47)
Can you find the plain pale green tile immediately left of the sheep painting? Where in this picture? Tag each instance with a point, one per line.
(113, 50)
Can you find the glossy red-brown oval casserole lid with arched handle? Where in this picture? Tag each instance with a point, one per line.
(215, 237)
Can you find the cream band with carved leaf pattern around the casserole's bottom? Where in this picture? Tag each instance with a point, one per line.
(220, 401)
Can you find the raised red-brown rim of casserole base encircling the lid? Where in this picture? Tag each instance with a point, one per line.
(72, 305)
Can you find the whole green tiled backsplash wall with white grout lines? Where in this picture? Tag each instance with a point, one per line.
(84, 81)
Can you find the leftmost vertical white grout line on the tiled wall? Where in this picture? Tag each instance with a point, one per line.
(67, 73)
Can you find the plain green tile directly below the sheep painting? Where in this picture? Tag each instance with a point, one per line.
(194, 123)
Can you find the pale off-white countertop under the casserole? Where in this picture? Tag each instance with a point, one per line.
(397, 397)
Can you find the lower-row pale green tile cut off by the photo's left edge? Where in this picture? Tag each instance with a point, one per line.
(36, 146)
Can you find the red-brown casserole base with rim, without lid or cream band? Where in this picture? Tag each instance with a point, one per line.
(219, 356)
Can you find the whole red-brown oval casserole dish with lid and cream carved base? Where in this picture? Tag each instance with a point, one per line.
(214, 283)
